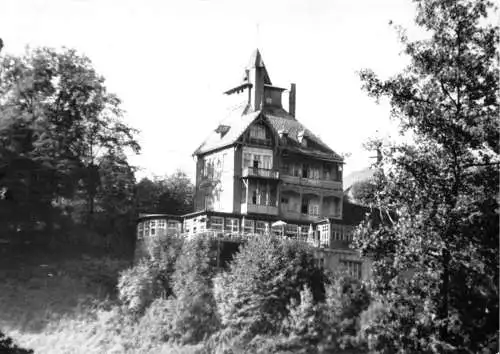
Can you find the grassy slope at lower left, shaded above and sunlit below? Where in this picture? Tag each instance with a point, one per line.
(67, 305)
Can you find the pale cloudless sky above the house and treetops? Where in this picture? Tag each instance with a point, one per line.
(171, 61)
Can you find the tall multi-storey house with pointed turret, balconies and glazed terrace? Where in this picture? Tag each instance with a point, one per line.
(261, 172)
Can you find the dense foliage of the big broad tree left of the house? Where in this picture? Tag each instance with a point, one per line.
(62, 143)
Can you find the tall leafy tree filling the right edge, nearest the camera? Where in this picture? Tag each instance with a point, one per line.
(439, 259)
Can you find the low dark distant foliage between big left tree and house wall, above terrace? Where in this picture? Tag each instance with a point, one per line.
(171, 194)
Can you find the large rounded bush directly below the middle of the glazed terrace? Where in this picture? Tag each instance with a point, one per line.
(252, 296)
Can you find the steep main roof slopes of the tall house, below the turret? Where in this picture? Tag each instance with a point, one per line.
(279, 120)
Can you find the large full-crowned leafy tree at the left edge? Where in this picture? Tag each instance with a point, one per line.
(57, 118)
